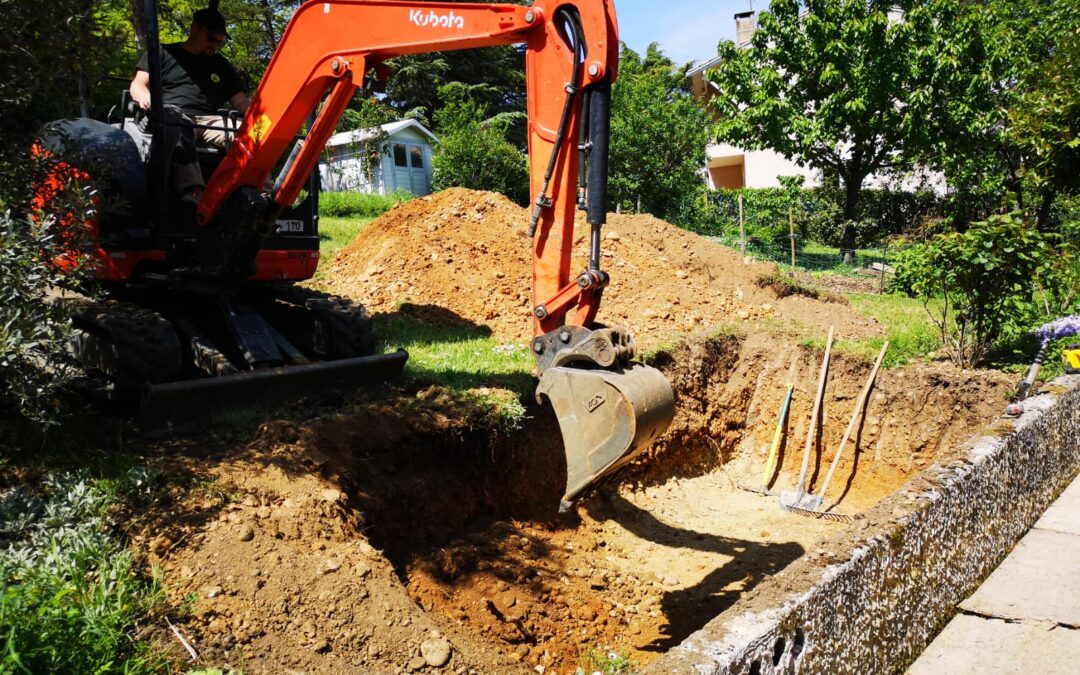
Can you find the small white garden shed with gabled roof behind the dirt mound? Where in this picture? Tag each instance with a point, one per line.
(404, 160)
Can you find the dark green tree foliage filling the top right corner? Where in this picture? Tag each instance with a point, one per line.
(1016, 137)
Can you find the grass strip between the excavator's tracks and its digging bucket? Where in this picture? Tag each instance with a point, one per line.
(466, 360)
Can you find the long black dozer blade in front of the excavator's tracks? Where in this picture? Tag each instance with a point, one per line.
(199, 402)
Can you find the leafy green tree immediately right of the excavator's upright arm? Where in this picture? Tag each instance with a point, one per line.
(659, 133)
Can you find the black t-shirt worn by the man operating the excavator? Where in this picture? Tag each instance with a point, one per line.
(195, 84)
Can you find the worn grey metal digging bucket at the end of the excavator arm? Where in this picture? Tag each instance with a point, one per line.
(607, 418)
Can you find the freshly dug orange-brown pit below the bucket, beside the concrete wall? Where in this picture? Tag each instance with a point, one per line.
(467, 519)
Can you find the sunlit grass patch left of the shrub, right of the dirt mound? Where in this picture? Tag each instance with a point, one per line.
(912, 334)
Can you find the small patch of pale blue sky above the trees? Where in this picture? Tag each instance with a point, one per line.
(686, 30)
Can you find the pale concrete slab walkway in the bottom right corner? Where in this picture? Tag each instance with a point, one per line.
(1025, 618)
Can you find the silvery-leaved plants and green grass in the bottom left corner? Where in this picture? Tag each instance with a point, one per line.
(72, 591)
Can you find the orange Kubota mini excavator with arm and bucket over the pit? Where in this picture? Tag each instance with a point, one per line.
(205, 316)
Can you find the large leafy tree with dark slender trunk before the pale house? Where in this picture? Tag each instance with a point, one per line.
(846, 87)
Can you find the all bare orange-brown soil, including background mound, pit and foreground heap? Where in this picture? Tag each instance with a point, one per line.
(408, 533)
